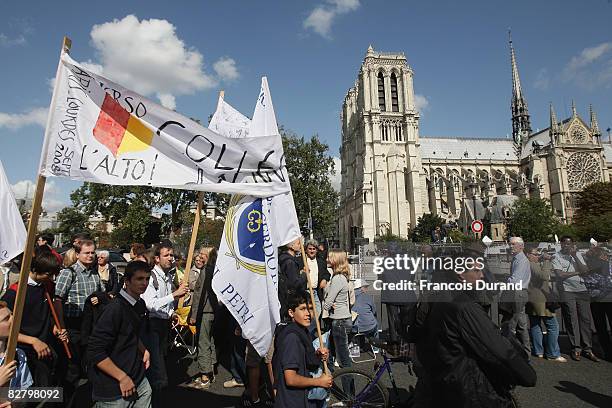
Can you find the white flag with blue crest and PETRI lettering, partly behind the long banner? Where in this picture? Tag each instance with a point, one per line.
(246, 272)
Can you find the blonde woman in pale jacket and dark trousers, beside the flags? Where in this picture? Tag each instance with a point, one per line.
(336, 304)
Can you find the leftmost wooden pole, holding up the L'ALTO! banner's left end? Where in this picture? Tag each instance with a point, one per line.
(29, 249)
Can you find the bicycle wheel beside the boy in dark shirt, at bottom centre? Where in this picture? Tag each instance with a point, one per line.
(356, 389)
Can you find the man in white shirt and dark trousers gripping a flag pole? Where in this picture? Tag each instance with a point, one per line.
(159, 299)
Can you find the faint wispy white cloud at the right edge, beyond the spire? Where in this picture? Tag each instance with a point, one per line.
(591, 68)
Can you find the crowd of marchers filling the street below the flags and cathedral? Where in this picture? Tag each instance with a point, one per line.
(89, 327)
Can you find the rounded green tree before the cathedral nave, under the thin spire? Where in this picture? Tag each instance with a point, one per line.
(533, 219)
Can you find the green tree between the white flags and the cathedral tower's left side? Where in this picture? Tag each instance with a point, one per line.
(309, 165)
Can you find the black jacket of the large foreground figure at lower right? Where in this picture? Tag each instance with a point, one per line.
(467, 362)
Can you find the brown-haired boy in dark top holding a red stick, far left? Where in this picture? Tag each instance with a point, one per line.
(37, 333)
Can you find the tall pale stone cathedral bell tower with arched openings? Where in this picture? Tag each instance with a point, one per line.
(379, 153)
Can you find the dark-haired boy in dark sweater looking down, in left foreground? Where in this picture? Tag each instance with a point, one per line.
(117, 356)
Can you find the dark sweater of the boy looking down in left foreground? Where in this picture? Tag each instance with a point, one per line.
(115, 336)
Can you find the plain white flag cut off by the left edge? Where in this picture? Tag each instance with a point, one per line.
(12, 230)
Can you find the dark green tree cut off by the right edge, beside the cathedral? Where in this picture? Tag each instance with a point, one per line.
(593, 218)
